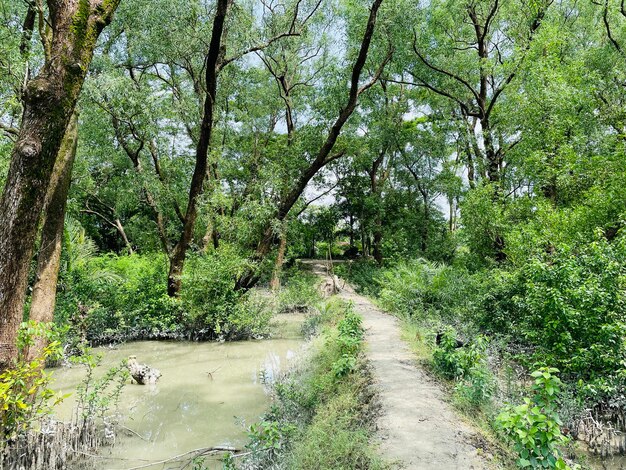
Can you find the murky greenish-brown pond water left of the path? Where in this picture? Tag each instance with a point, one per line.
(209, 393)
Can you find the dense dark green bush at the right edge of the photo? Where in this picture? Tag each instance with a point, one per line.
(573, 309)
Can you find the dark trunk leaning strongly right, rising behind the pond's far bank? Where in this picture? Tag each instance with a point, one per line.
(249, 278)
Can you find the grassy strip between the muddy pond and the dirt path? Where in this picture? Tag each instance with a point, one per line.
(324, 410)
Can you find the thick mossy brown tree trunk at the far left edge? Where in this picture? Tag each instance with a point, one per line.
(69, 37)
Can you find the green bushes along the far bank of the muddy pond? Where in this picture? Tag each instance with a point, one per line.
(125, 297)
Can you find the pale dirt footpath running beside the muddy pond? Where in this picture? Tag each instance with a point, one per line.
(417, 428)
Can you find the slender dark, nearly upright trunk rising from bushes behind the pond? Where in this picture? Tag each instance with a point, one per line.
(213, 57)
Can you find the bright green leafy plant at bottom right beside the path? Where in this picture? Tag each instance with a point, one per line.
(534, 426)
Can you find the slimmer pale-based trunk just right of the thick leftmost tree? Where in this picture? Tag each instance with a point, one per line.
(44, 291)
